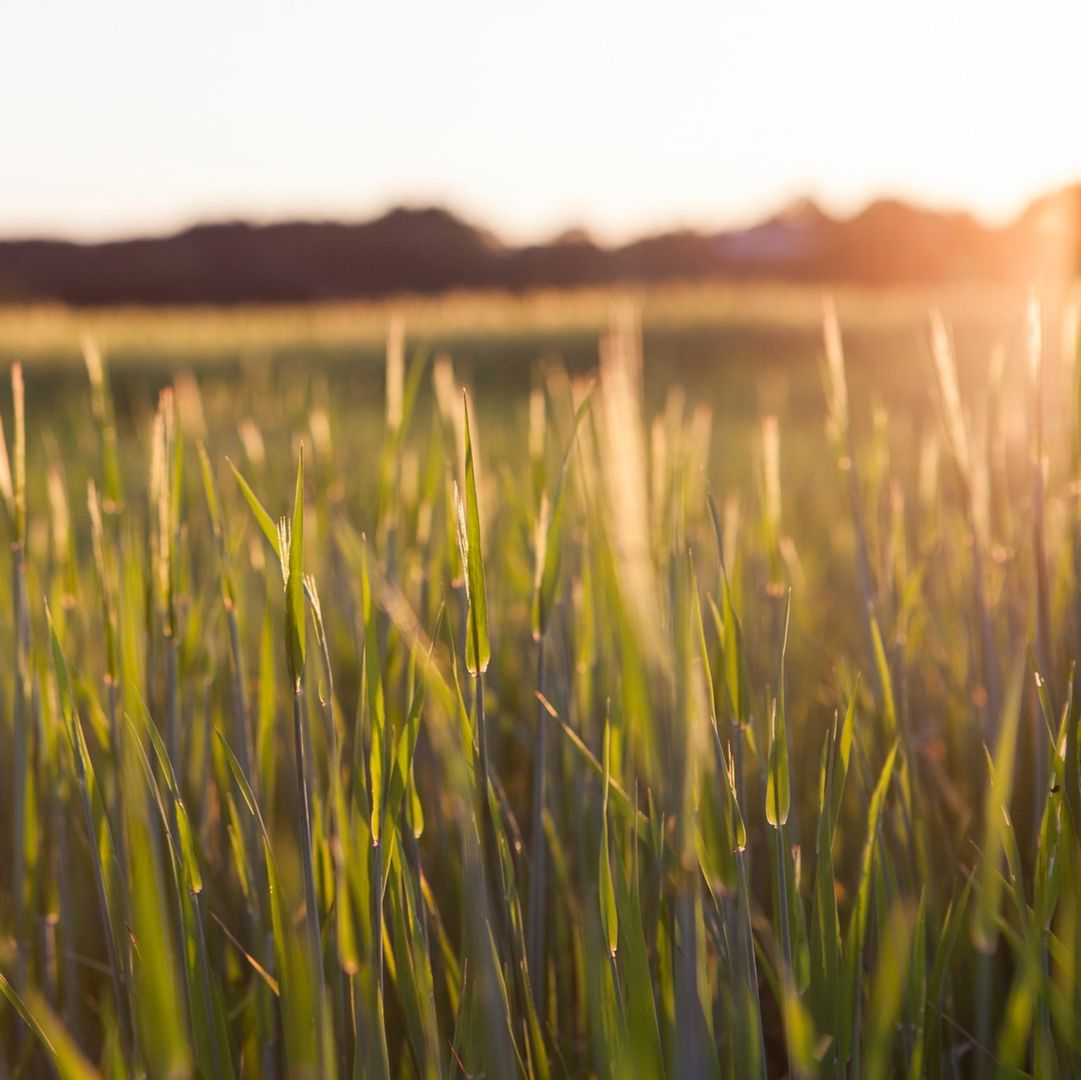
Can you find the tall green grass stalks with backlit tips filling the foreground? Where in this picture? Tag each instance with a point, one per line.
(442, 742)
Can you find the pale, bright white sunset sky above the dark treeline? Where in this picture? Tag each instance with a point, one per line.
(528, 118)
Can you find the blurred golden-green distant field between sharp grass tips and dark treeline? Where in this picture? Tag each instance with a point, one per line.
(743, 350)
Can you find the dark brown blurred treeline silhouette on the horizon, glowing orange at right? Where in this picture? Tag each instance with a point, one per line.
(431, 250)
